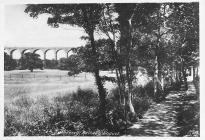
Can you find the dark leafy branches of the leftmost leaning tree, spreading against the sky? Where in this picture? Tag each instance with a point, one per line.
(82, 15)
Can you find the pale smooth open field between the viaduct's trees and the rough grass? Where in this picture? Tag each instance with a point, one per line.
(47, 82)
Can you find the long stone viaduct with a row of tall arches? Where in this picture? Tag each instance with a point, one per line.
(22, 50)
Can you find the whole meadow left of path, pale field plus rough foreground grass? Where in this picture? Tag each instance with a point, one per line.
(49, 102)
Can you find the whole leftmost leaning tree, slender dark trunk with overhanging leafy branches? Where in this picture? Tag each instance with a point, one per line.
(86, 16)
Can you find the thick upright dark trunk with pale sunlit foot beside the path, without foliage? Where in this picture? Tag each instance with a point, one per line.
(125, 47)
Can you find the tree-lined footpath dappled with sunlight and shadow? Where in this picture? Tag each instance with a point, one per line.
(175, 116)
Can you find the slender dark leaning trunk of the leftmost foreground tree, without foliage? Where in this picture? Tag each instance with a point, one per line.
(101, 89)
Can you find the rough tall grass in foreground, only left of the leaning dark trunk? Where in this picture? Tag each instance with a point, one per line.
(59, 116)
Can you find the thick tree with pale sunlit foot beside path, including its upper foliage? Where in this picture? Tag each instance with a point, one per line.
(131, 17)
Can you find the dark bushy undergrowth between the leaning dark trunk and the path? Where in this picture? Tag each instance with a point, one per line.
(116, 111)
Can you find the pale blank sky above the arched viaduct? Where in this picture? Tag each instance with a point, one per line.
(20, 30)
